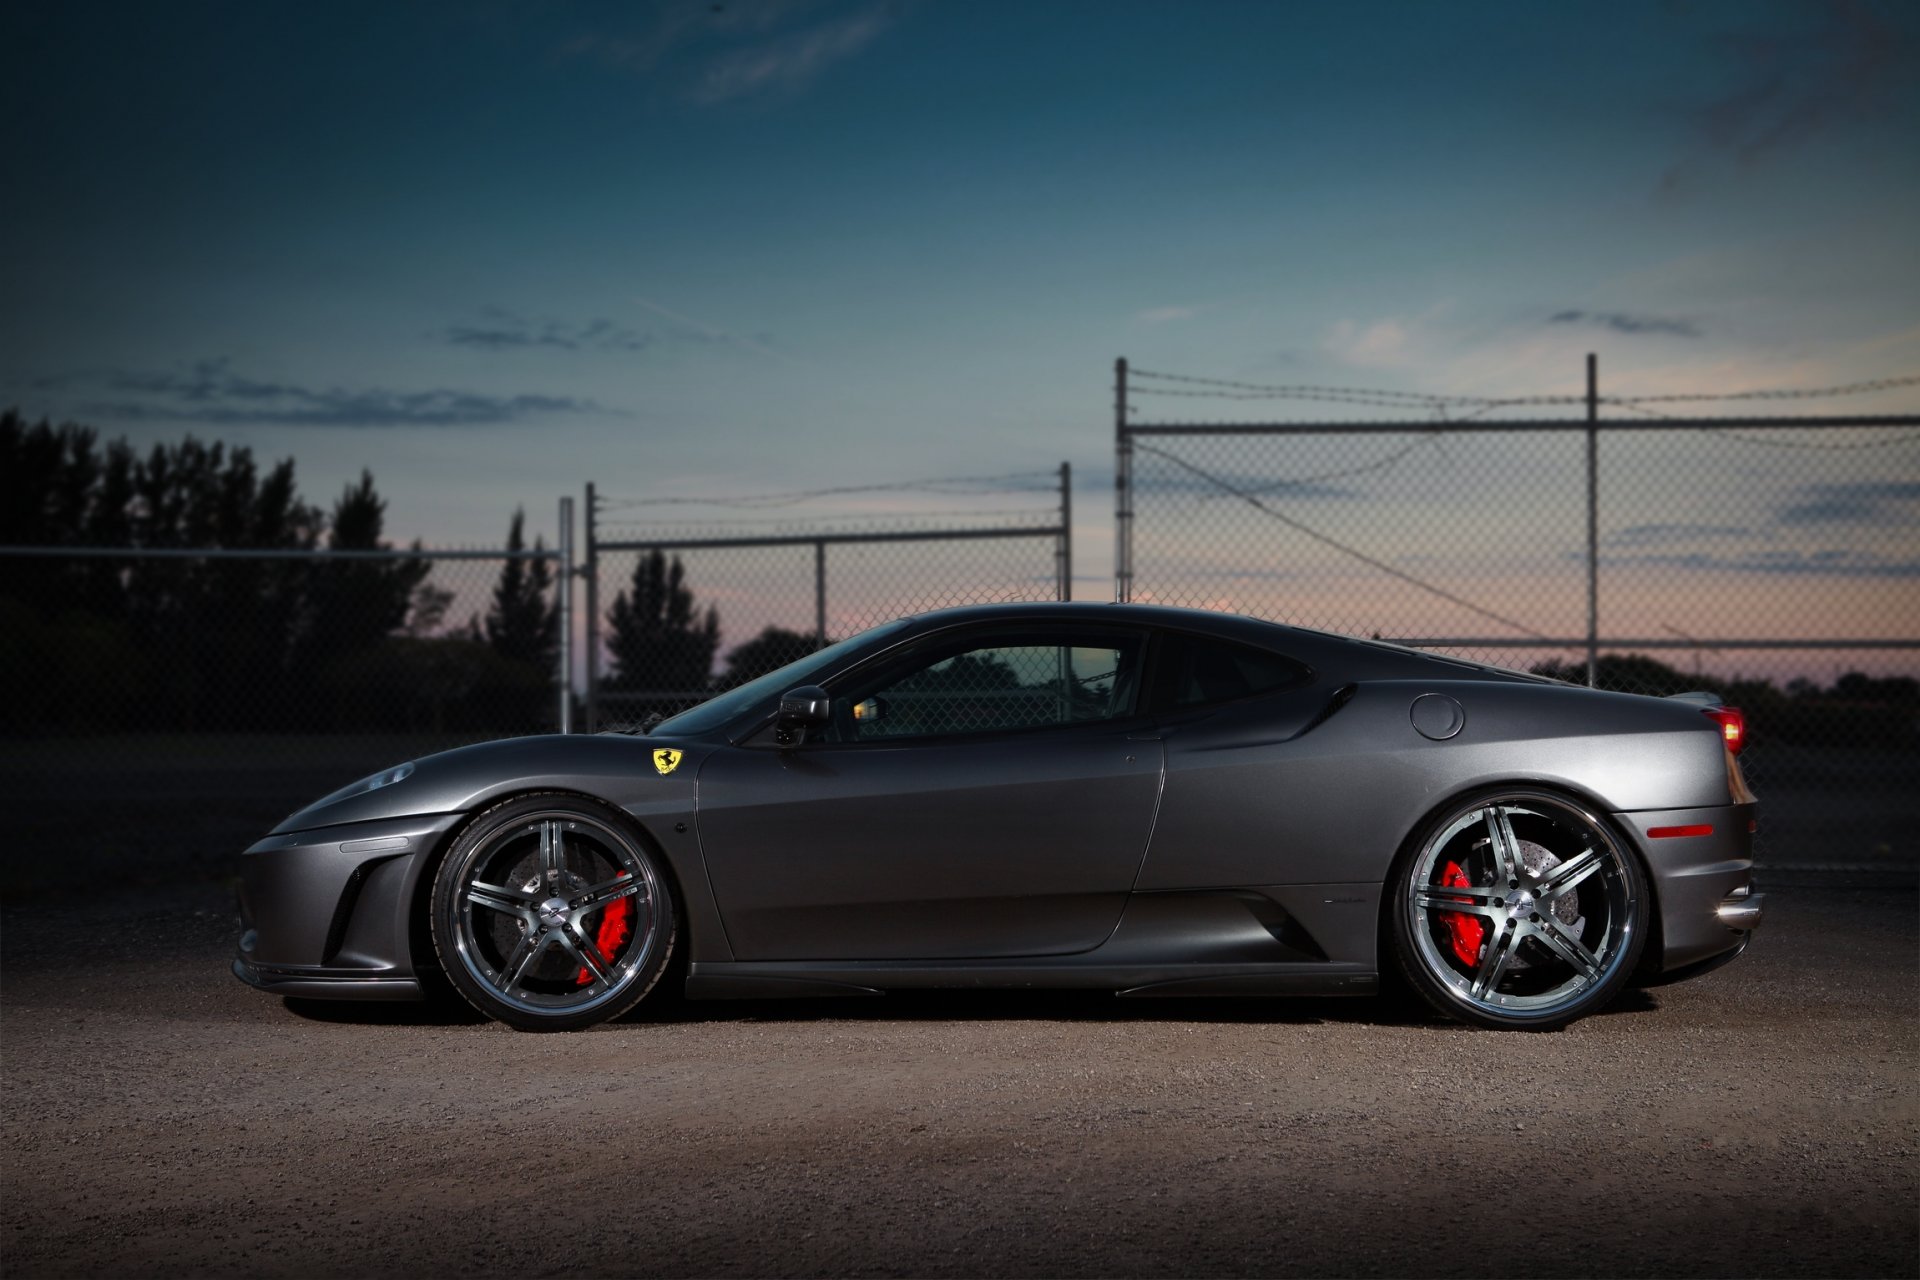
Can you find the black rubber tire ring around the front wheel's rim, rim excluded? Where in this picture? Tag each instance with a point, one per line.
(444, 913)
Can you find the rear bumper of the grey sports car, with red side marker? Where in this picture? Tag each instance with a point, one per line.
(1702, 866)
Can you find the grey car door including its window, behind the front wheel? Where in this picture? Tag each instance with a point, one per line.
(986, 794)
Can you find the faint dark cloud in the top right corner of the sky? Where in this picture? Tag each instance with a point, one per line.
(1800, 85)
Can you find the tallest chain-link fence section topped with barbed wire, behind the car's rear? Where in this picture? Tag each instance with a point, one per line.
(1775, 561)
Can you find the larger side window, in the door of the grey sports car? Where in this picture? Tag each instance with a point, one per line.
(997, 686)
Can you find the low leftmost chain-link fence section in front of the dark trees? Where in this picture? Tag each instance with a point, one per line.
(172, 705)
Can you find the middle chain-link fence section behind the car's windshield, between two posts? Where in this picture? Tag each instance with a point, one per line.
(684, 604)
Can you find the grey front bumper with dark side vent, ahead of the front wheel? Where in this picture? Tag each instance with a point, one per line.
(329, 913)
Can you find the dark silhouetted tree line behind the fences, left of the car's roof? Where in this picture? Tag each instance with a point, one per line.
(289, 644)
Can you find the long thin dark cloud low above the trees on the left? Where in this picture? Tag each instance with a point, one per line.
(212, 394)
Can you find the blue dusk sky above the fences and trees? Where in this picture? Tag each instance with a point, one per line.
(498, 250)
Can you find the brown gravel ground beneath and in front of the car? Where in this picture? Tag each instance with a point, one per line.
(162, 1120)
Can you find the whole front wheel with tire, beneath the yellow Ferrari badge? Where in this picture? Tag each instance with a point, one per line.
(552, 914)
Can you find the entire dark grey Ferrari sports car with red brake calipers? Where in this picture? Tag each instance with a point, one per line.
(1113, 797)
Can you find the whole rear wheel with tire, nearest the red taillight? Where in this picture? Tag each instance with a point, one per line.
(1520, 911)
